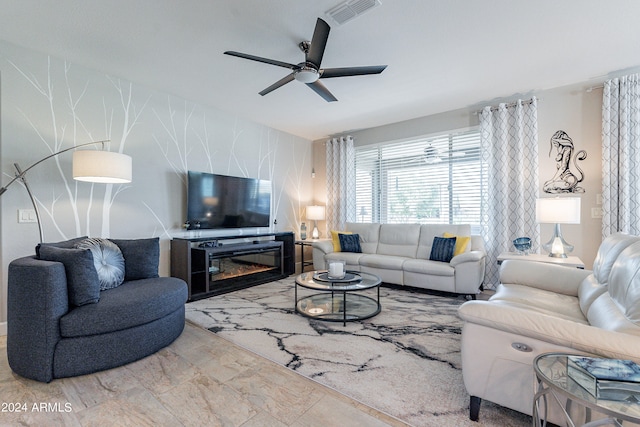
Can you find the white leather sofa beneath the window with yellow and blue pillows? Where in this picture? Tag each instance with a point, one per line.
(399, 254)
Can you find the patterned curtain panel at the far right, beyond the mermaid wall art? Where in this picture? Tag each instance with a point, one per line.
(621, 155)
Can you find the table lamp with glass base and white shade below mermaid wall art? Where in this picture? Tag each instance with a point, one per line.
(558, 210)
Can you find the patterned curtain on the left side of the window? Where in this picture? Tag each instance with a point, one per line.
(341, 182)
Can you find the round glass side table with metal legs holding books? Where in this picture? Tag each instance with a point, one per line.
(553, 383)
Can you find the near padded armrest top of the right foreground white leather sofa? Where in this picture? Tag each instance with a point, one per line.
(528, 323)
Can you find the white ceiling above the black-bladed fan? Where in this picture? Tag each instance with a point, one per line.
(441, 54)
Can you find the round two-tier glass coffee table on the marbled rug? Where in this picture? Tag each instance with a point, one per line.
(338, 300)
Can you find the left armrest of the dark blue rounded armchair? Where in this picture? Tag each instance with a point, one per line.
(36, 300)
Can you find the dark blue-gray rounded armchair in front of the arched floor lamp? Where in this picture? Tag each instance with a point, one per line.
(49, 337)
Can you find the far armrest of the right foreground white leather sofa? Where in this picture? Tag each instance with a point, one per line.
(541, 275)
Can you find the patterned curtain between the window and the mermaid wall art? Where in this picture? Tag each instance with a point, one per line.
(509, 145)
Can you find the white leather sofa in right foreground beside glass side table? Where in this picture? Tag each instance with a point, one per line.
(540, 308)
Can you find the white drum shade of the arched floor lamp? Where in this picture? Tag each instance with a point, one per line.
(101, 166)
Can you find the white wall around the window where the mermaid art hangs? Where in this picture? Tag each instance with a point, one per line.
(571, 108)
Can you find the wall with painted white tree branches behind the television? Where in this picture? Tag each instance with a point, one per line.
(49, 104)
